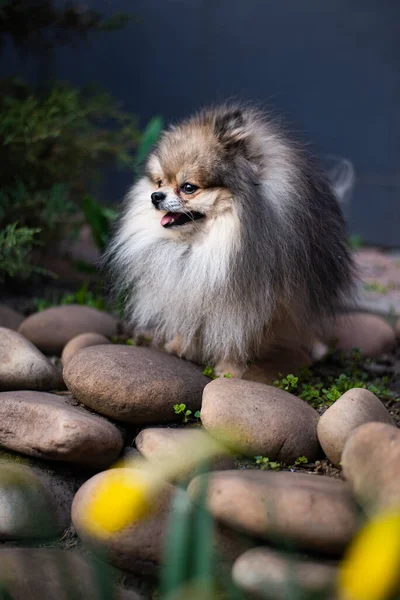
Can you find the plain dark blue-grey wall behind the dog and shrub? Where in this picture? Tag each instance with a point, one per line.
(330, 67)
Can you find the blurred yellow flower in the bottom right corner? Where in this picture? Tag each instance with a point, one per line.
(371, 567)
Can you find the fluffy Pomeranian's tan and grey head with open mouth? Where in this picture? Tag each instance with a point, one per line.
(196, 167)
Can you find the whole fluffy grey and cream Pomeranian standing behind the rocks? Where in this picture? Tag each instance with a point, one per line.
(232, 243)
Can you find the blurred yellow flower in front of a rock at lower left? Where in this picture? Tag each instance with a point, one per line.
(123, 497)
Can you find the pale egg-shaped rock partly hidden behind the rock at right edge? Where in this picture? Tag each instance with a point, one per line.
(355, 407)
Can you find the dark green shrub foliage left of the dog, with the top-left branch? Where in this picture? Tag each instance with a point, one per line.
(56, 142)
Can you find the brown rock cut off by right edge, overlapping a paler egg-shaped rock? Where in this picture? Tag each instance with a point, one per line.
(371, 464)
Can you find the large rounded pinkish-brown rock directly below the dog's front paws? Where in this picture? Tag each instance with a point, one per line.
(260, 419)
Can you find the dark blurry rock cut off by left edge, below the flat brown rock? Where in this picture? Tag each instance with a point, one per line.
(32, 504)
